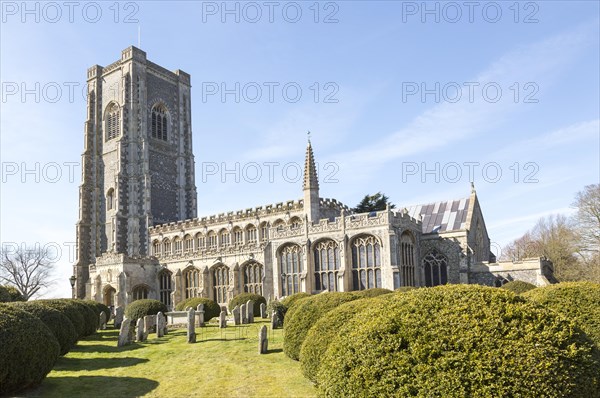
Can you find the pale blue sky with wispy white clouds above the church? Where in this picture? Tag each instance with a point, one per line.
(401, 97)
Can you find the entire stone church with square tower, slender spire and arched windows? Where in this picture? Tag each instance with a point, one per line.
(139, 236)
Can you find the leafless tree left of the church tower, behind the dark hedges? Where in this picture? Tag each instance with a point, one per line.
(28, 269)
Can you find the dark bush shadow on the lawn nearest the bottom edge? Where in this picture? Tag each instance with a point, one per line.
(92, 386)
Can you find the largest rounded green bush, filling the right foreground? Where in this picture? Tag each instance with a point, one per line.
(458, 341)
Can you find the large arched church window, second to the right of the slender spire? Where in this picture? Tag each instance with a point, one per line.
(366, 263)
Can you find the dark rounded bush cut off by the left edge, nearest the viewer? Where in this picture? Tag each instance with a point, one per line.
(28, 349)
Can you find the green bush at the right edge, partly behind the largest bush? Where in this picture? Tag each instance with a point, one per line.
(578, 301)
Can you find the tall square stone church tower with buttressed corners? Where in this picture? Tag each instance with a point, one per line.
(137, 162)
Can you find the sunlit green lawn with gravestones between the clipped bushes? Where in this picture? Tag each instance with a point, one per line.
(222, 363)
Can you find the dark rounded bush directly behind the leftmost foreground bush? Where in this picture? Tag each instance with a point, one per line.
(58, 323)
